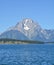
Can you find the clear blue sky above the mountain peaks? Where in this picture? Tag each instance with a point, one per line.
(13, 11)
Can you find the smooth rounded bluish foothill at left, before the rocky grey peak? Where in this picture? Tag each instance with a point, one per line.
(13, 34)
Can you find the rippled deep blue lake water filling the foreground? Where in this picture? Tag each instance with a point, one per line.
(27, 54)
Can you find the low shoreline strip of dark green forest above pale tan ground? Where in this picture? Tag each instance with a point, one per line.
(14, 41)
